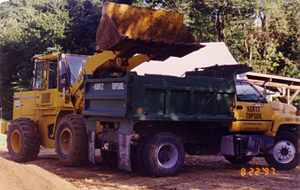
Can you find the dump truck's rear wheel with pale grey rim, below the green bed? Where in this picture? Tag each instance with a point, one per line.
(163, 154)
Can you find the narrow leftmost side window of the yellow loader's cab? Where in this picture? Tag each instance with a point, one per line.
(39, 75)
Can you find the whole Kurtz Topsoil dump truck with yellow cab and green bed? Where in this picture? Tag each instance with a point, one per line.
(149, 122)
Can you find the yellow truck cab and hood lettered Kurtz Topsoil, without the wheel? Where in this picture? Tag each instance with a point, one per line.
(255, 113)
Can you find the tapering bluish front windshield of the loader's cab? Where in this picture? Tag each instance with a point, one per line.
(75, 63)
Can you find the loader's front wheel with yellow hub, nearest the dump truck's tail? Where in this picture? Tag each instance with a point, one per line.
(71, 140)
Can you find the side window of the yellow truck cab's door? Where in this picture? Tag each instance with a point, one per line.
(247, 93)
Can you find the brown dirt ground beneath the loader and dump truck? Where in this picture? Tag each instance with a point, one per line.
(204, 172)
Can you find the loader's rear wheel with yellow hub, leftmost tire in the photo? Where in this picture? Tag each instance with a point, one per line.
(23, 141)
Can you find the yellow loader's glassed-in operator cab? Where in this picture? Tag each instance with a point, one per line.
(57, 71)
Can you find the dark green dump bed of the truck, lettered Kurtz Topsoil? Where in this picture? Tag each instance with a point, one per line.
(158, 97)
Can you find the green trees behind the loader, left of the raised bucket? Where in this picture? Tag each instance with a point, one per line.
(36, 27)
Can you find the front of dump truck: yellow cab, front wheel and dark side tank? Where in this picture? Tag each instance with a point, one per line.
(262, 127)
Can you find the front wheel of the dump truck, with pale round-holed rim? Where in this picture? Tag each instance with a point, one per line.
(286, 153)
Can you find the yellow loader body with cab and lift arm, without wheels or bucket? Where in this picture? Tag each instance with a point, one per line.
(50, 100)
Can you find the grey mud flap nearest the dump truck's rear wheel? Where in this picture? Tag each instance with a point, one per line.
(124, 152)
